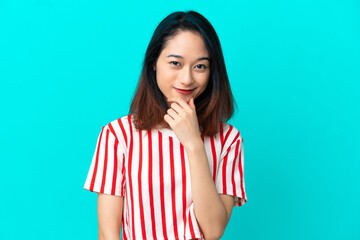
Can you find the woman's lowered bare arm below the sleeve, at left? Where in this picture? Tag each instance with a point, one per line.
(109, 216)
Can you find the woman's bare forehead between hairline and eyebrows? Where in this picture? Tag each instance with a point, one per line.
(186, 43)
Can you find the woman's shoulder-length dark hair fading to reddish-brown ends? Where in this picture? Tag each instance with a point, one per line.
(213, 105)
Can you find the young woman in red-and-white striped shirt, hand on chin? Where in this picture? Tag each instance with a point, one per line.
(172, 168)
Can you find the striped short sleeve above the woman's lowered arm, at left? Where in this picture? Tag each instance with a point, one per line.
(106, 173)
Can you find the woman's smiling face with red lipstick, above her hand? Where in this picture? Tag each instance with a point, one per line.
(183, 65)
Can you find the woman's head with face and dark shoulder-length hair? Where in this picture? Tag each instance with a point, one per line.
(184, 53)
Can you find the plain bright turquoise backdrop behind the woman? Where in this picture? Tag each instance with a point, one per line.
(69, 67)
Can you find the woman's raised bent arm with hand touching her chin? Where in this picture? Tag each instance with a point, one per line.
(212, 210)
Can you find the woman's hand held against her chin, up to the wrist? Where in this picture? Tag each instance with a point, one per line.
(182, 118)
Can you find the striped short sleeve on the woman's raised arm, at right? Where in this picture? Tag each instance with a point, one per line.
(230, 175)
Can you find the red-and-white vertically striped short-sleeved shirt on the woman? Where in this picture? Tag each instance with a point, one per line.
(151, 169)
